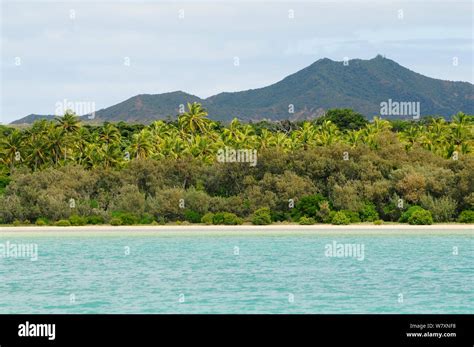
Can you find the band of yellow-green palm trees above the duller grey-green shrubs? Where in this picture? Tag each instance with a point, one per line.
(52, 143)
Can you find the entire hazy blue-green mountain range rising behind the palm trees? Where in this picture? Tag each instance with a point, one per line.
(361, 85)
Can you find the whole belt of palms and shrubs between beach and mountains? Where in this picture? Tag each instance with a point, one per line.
(65, 173)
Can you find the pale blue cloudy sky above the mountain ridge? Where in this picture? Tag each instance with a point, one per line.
(105, 52)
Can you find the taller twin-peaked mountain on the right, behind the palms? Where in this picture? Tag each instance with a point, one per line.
(361, 85)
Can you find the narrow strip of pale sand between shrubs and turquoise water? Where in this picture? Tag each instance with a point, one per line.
(229, 230)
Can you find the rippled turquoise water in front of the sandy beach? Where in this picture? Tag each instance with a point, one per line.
(238, 274)
